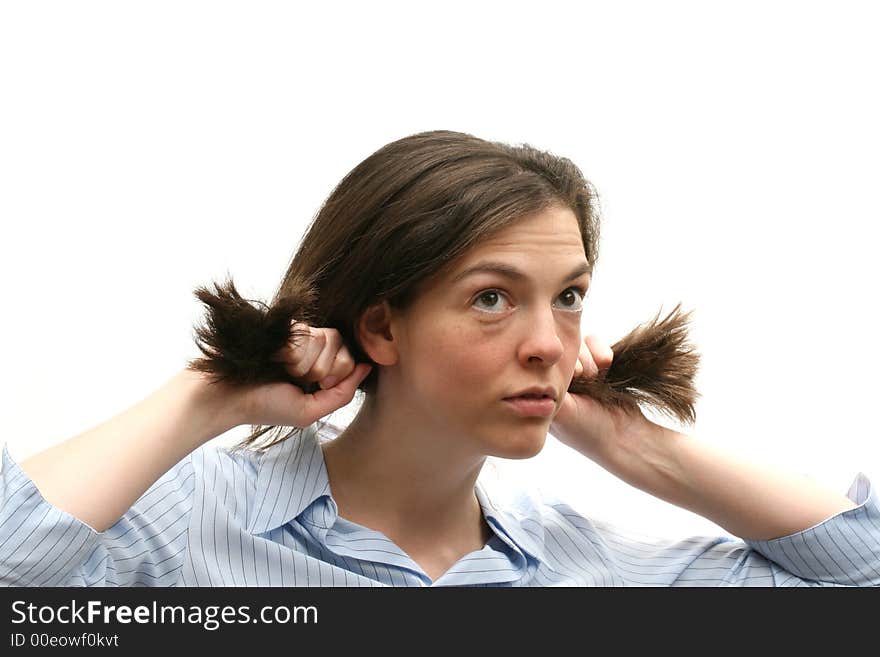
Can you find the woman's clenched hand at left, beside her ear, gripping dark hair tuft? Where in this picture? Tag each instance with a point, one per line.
(320, 356)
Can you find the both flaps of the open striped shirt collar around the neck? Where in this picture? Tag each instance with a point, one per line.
(292, 474)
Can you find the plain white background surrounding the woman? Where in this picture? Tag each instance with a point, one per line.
(148, 148)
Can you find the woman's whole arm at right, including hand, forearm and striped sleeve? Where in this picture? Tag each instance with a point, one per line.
(794, 531)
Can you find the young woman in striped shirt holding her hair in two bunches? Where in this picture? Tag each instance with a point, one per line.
(444, 277)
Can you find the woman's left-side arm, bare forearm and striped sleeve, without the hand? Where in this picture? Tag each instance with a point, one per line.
(111, 506)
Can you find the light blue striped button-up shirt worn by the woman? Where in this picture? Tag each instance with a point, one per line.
(221, 518)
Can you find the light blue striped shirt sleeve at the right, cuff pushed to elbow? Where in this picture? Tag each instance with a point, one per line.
(843, 550)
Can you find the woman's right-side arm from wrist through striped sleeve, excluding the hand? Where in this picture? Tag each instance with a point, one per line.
(794, 532)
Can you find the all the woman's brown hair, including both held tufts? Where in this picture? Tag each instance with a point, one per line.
(393, 223)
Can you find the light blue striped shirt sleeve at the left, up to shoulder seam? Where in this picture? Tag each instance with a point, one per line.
(42, 545)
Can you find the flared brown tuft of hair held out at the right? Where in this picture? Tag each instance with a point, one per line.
(653, 364)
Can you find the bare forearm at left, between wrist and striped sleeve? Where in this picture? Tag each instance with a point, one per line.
(97, 475)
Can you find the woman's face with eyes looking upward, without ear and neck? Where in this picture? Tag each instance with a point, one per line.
(474, 338)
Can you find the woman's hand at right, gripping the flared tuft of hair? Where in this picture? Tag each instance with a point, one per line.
(585, 425)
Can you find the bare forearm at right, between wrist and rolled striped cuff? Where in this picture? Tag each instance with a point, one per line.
(747, 499)
